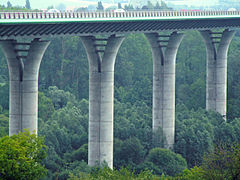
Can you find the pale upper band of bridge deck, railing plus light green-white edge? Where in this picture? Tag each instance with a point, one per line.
(44, 17)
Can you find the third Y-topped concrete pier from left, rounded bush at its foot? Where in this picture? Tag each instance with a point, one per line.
(164, 59)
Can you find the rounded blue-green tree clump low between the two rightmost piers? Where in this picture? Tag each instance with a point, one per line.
(194, 134)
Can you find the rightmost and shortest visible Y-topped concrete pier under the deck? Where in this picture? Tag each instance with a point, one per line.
(216, 89)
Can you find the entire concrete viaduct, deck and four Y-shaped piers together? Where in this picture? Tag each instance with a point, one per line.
(24, 58)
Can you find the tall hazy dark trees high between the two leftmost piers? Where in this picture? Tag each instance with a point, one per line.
(65, 59)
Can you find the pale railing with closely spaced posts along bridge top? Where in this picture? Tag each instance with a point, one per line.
(127, 14)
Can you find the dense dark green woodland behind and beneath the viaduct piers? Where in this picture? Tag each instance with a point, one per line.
(63, 107)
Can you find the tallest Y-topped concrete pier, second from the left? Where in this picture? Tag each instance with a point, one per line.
(101, 88)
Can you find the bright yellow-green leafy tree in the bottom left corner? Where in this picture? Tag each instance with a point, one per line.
(21, 156)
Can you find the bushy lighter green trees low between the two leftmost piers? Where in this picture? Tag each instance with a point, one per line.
(66, 133)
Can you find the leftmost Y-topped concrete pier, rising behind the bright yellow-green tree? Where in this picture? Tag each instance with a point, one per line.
(23, 77)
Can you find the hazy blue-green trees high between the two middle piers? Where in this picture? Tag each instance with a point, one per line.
(134, 54)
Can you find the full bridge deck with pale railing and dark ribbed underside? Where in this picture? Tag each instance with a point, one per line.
(38, 24)
